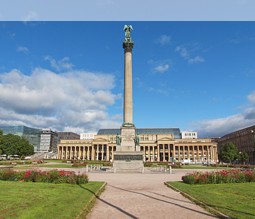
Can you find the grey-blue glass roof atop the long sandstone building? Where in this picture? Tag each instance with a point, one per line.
(175, 131)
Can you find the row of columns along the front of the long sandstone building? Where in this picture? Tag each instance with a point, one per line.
(165, 152)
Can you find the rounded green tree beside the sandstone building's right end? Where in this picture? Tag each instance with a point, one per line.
(228, 153)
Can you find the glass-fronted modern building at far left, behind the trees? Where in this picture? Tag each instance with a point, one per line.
(33, 135)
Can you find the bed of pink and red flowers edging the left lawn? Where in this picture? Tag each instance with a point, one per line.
(52, 176)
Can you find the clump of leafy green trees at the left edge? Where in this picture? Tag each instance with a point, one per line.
(15, 145)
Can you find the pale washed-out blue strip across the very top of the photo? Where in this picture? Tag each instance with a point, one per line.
(132, 10)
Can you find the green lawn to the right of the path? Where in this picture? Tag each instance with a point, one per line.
(235, 200)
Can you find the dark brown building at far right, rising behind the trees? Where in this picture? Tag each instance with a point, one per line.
(244, 139)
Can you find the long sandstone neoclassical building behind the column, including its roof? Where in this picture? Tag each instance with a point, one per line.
(157, 145)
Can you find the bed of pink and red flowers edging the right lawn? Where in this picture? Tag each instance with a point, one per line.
(223, 176)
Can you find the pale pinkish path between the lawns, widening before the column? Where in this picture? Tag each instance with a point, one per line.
(136, 195)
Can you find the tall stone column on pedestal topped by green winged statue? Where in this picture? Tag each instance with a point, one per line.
(127, 155)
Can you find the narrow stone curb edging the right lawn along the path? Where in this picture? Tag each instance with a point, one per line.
(202, 204)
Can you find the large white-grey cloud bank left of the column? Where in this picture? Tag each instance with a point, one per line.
(74, 100)
